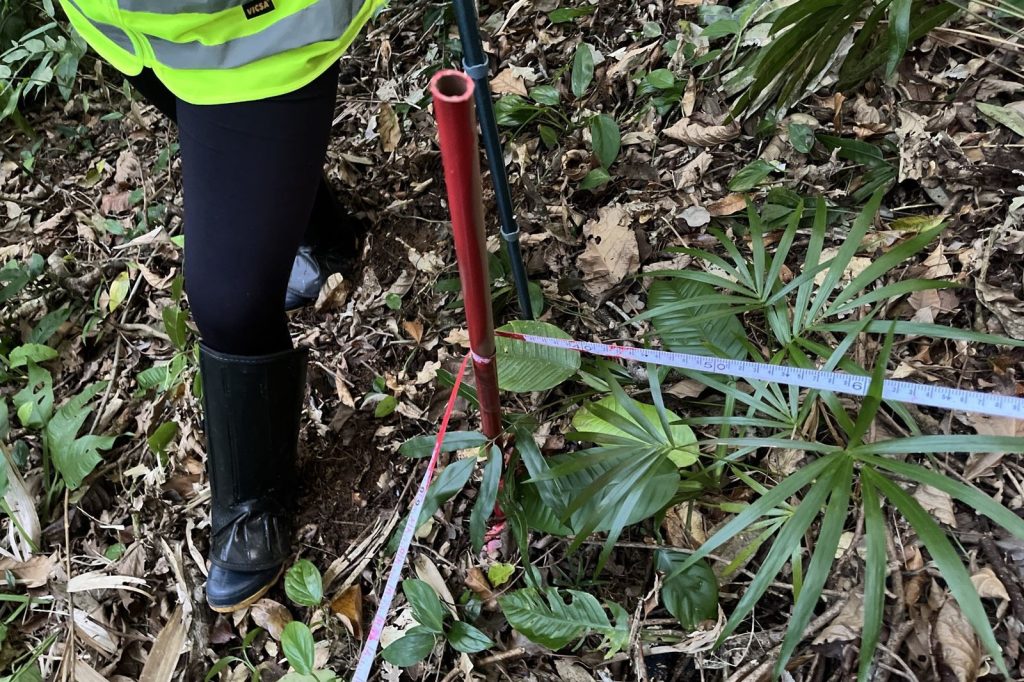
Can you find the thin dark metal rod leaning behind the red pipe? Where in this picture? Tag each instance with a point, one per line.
(477, 67)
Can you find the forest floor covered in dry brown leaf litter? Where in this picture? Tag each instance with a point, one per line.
(99, 195)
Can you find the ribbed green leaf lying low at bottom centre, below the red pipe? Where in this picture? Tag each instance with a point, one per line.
(559, 623)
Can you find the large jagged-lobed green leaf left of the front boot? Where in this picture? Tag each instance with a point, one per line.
(75, 457)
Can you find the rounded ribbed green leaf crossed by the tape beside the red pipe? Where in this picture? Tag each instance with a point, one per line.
(527, 367)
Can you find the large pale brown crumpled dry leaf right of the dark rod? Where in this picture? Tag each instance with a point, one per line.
(613, 252)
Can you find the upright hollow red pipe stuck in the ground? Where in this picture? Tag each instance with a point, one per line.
(454, 110)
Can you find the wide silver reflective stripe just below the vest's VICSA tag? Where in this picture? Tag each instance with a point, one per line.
(326, 20)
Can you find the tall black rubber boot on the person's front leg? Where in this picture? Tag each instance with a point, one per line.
(252, 407)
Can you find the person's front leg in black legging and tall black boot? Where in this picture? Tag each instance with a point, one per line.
(250, 174)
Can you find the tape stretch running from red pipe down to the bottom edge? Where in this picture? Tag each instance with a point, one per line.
(392, 587)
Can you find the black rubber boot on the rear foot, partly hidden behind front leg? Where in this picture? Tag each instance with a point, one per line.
(330, 245)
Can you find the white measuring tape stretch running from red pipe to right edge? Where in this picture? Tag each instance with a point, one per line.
(839, 382)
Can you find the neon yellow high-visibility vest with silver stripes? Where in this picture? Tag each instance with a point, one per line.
(219, 52)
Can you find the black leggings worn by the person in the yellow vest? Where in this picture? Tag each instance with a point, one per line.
(253, 182)
